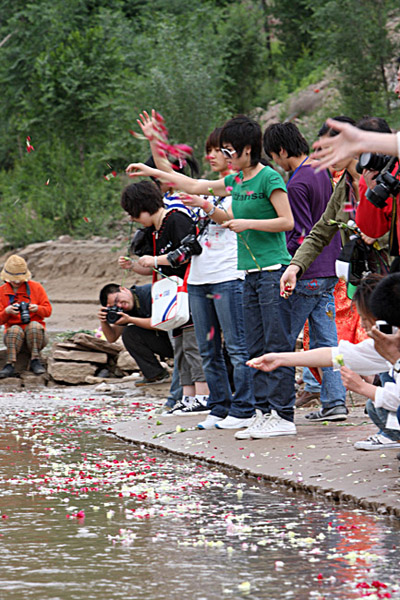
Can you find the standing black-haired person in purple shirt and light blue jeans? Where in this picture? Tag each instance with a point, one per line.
(309, 193)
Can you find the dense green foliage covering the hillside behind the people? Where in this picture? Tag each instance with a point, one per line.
(74, 76)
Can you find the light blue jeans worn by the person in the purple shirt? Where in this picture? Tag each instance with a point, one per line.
(313, 300)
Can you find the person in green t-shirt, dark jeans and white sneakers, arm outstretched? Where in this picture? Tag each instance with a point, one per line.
(260, 214)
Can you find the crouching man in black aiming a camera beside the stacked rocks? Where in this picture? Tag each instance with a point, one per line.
(121, 307)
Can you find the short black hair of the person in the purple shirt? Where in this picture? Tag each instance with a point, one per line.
(285, 136)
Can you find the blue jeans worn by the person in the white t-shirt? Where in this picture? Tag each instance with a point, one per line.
(215, 314)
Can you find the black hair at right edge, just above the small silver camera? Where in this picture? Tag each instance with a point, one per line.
(385, 300)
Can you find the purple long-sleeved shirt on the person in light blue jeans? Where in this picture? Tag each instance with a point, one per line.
(309, 193)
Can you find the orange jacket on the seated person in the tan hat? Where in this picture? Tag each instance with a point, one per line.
(37, 296)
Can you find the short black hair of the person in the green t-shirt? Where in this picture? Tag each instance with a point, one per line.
(242, 131)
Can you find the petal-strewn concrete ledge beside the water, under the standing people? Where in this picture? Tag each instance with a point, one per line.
(319, 460)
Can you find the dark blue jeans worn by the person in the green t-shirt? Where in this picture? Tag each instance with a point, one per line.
(268, 329)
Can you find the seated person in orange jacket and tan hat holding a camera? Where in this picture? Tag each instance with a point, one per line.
(23, 307)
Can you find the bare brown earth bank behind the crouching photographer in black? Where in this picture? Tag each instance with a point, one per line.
(72, 273)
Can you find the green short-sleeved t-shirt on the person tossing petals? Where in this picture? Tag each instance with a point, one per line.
(250, 200)
